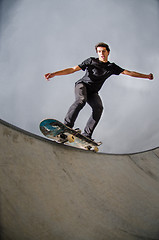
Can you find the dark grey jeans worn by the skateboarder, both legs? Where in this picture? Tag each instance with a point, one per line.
(82, 95)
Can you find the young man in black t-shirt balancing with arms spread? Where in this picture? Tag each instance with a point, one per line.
(87, 88)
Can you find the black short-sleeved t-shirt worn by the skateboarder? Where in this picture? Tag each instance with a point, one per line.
(97, 72)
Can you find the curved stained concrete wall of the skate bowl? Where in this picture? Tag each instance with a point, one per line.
(54, 192)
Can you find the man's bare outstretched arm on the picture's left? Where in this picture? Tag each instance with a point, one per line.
(62, 72)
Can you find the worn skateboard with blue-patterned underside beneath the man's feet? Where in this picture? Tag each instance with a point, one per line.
(61, 133)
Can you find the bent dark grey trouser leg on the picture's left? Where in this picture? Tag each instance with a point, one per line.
(80, 101)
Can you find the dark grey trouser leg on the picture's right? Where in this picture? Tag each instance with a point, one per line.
(95, 102)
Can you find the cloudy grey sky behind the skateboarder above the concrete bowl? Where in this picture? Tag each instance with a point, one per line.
(39, 36)
